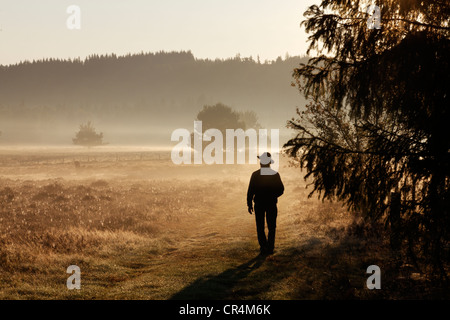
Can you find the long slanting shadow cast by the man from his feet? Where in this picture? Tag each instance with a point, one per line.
(220, 286)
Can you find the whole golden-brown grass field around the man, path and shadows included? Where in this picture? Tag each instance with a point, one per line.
(140, 227)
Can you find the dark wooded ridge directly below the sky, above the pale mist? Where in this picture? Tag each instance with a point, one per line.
(116, 79)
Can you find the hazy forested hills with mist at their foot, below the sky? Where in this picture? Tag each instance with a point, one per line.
(138, 96)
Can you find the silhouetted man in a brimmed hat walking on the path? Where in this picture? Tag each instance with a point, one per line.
(264, 189)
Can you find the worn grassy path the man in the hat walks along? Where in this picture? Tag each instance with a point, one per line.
(215, 255)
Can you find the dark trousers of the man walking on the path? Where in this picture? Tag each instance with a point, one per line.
(266, 211)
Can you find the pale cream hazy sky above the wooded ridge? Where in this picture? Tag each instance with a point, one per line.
(35, 29)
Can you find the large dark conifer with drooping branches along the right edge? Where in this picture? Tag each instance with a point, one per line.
(379, 114)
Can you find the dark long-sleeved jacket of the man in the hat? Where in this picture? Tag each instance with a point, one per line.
(264, 188)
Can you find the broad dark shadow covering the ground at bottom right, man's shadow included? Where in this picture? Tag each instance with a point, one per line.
(319, 270)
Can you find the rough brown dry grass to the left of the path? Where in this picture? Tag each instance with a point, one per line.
(46, 224)
